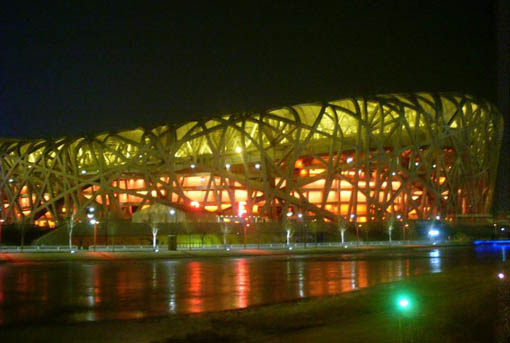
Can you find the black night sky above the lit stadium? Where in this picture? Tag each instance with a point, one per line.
(72, 70)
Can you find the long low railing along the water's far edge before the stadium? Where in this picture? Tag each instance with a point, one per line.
(184, 247)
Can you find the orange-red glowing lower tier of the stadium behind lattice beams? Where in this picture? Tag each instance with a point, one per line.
(358, 192)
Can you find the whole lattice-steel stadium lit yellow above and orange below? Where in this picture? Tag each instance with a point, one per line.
(413, 155)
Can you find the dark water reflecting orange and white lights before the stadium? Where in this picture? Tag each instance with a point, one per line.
(89, 291)
